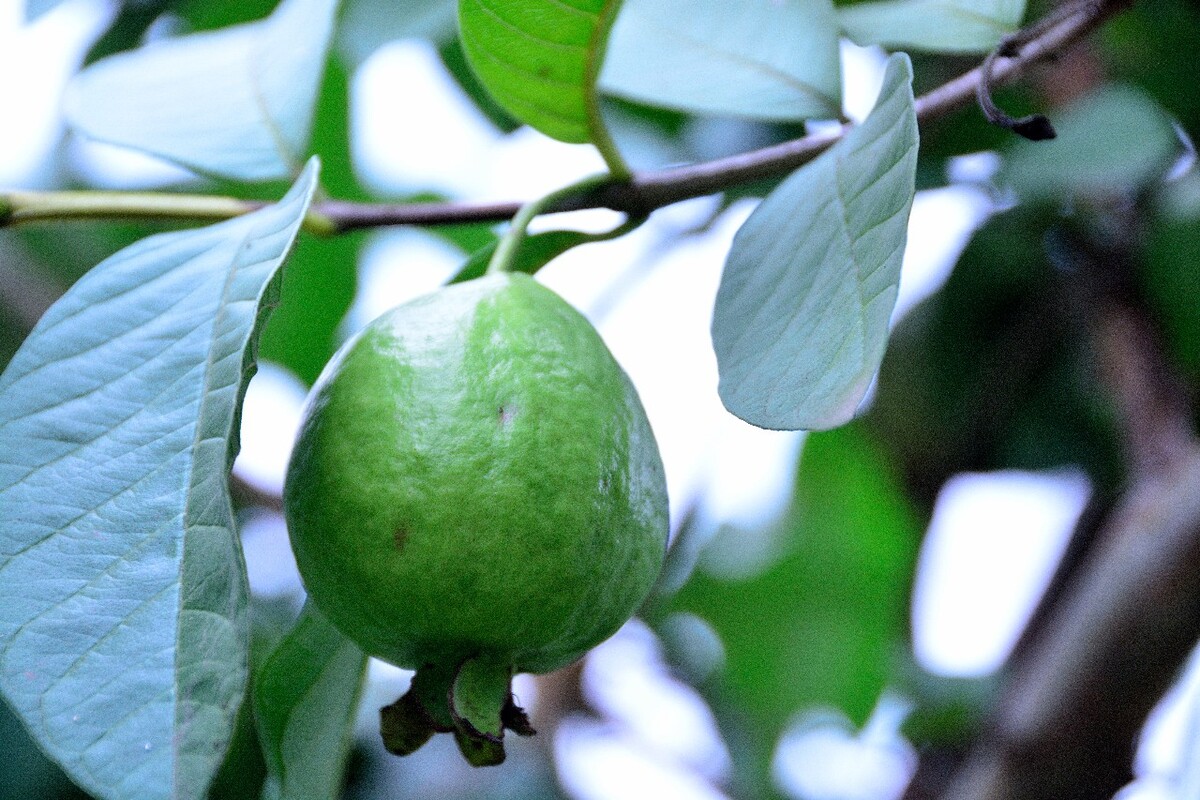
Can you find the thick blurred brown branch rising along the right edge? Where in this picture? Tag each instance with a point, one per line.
(1105, 651)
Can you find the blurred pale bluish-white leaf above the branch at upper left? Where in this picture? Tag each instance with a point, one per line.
(233, 104)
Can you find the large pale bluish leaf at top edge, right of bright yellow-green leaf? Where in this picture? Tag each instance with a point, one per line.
(759, 58)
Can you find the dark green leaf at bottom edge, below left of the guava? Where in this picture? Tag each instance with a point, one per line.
(307, 696)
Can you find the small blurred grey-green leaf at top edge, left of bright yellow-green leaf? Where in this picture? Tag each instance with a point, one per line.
(367, 26)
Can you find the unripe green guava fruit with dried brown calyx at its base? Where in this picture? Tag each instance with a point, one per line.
(476, 492)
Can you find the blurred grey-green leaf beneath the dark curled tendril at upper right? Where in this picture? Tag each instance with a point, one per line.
(1115, 140)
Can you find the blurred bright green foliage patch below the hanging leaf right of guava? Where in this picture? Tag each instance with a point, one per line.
(820, 625)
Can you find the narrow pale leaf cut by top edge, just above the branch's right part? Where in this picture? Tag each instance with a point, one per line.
(938, 26)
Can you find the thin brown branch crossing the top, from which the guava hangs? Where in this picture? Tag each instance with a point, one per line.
(644, 193)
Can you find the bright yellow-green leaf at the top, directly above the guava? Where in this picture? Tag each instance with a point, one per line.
(541, 61)
